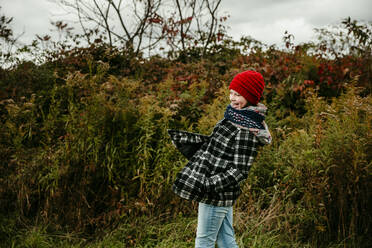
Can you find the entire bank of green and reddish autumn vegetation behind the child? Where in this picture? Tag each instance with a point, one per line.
(85, 159)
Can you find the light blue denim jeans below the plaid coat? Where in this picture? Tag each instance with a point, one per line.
(215, 224)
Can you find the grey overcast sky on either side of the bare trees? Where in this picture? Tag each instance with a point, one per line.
(264, 20)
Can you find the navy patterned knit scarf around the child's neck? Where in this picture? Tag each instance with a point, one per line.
(246, 117)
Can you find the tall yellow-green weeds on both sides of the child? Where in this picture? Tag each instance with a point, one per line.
(94, 152)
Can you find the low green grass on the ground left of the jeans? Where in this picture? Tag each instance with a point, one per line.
(141, 233)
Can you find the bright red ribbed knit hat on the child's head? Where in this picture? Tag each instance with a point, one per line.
(249, 84)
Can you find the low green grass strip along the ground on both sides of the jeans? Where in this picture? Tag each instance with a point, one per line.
(147, 232)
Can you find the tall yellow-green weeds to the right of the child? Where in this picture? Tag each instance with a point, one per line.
(319, 175)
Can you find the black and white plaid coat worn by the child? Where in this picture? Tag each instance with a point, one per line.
(218, 165)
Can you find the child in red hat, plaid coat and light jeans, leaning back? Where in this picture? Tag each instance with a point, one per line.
(219, 163)
